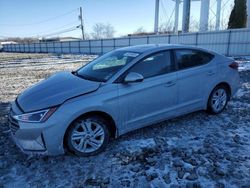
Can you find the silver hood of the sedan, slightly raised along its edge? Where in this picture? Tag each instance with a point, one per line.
(54, 91)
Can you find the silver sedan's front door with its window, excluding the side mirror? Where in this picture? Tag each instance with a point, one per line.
(153, 99)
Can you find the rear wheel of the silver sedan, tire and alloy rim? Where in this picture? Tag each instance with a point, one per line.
(218, 99)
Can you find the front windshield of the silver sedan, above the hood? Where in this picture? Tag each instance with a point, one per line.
(104, 67)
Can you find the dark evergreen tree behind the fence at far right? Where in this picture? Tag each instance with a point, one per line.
(238, 16)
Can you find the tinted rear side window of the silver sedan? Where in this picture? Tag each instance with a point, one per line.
(192, 58)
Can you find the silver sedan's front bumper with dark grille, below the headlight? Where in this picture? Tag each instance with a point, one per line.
(43, 138)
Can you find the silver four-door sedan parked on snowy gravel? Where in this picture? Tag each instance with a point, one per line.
(121, 91)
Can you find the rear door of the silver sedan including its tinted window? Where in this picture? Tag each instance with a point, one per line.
(195, 77)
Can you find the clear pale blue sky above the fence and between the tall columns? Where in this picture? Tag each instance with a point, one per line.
(26, 18)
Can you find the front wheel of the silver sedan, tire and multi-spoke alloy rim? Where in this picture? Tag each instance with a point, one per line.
(87, 136)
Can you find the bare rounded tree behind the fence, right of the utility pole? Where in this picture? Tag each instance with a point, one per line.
(100, 31)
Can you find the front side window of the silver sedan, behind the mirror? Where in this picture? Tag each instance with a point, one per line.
(156, 64)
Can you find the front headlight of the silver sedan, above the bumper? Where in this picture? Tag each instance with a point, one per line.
(35, 117)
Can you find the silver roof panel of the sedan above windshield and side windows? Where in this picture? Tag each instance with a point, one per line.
(154, 47)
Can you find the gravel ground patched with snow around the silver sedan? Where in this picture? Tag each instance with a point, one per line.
(195, 150)
